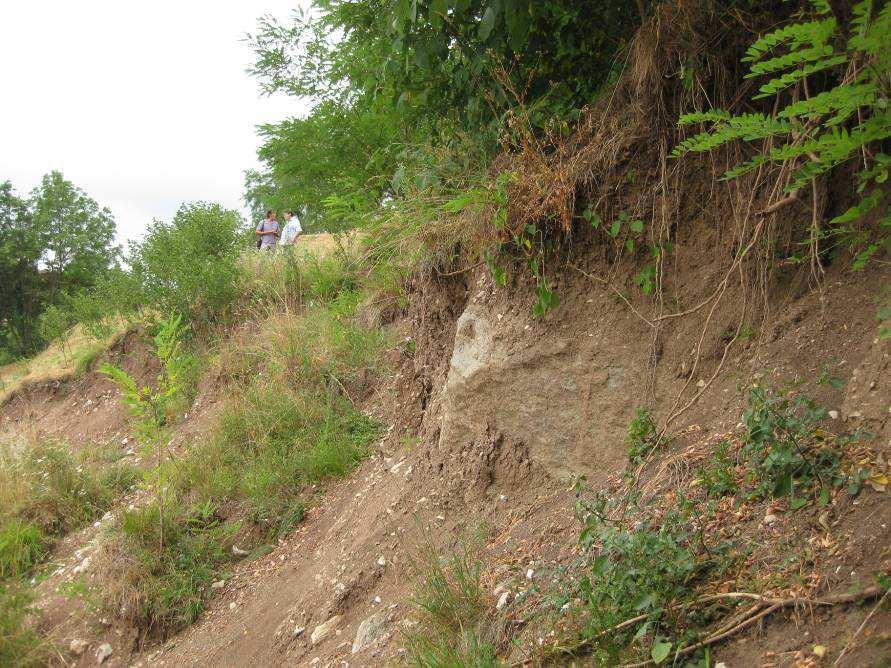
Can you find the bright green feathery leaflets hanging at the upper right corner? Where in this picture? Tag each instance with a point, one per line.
(839, 115)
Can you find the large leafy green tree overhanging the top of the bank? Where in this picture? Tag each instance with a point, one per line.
(403, 86)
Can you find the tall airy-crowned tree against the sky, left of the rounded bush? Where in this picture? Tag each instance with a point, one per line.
(76, 234)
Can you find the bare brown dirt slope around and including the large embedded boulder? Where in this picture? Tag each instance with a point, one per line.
(489, 451)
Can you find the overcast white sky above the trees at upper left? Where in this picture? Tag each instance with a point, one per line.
(142, 105)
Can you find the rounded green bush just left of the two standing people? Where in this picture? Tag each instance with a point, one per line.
(190, 265)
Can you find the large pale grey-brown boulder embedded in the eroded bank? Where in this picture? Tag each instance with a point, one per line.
(560, 397)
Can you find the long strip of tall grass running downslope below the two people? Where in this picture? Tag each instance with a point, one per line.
(290, 423)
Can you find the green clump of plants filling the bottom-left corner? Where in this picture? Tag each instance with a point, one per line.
(20, 645)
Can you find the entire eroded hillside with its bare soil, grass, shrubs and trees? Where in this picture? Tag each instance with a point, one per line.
(592, 370)
